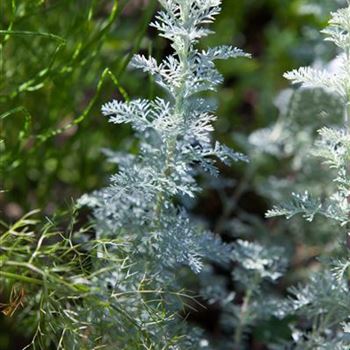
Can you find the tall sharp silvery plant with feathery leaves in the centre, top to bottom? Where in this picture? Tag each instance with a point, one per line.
(175, 142)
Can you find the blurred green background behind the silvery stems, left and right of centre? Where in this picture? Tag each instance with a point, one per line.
(60, 60)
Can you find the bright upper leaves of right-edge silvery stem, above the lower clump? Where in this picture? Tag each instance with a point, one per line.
(332, 146)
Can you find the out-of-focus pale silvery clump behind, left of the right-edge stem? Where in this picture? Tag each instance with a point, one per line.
(294, 130)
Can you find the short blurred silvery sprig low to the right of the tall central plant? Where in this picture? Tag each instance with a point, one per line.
(256, 267)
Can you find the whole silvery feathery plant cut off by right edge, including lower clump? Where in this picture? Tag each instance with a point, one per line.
(324, 300)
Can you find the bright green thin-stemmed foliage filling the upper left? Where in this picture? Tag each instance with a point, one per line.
(56, 65)
